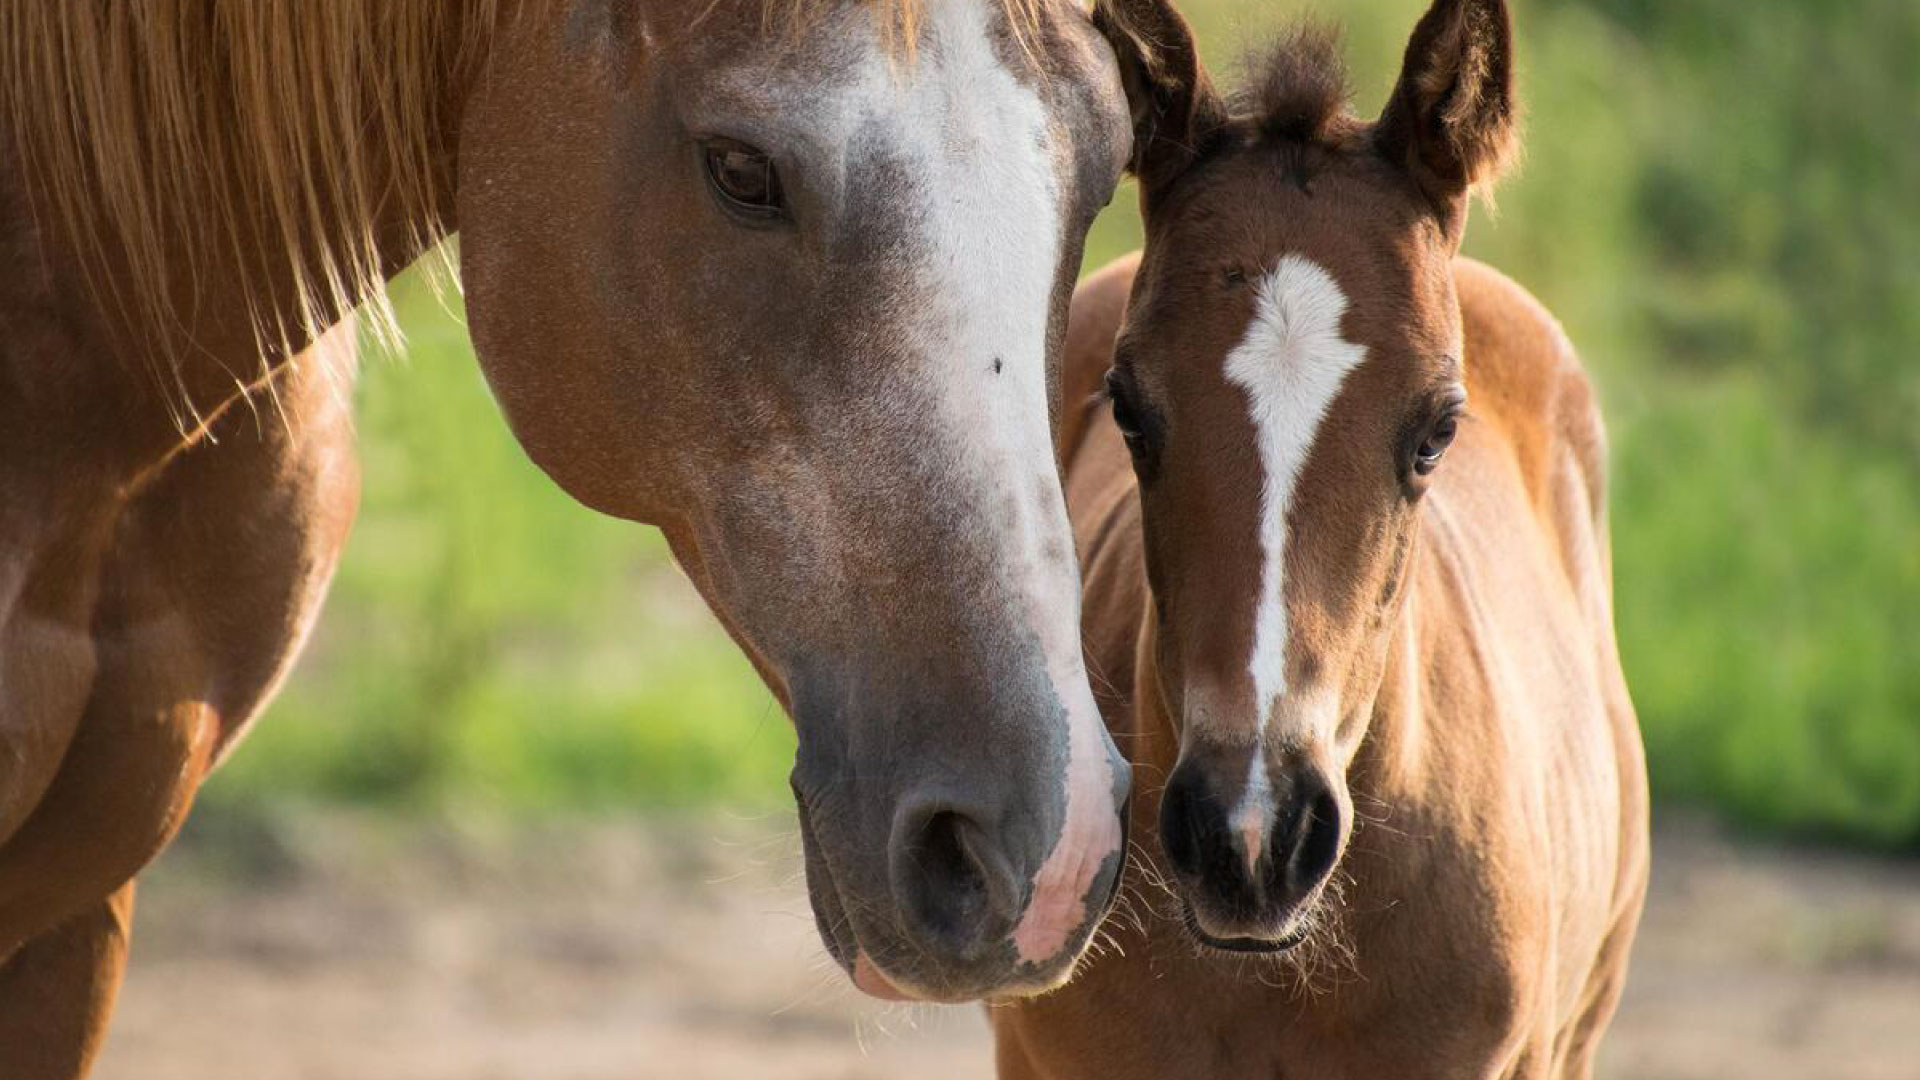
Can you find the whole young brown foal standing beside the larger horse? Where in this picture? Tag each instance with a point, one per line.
(1347, 547)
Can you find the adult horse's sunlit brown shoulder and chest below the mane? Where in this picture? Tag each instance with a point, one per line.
(210, 572)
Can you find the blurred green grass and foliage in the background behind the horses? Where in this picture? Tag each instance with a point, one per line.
(1717, 201)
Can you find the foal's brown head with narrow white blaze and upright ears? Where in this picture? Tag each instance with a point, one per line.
(1289, 381)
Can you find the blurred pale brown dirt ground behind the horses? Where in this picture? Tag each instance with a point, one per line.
(333, 948)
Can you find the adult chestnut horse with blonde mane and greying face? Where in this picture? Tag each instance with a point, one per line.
(786, 283)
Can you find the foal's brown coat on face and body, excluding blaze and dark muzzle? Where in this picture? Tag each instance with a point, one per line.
(1485, 749)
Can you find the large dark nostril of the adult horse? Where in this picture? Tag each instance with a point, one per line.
(959, 895)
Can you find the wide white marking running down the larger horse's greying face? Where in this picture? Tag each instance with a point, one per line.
(982, 157)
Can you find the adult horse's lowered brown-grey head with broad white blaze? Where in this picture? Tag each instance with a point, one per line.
(804, 314)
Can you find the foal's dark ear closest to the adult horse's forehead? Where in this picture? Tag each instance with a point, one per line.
(1174, 105)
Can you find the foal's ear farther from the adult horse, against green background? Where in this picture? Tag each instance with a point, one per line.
(1451, 120)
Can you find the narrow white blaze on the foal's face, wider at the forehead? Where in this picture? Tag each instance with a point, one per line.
(1291, 366)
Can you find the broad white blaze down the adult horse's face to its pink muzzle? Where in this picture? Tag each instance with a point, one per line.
(996, 239)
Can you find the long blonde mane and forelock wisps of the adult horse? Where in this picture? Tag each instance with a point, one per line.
(153, 124)
